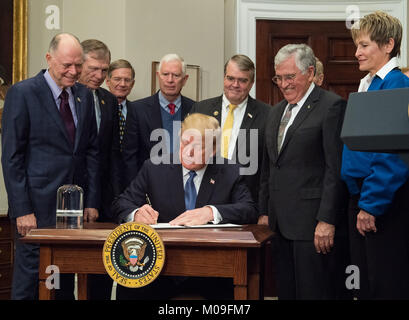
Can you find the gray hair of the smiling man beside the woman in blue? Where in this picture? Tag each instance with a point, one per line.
(304, 56)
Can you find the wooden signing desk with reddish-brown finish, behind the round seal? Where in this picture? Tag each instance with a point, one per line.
(236, 253)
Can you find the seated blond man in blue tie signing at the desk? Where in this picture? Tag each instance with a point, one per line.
(203, 191)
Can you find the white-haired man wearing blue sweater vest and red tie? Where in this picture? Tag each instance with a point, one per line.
(164, 111)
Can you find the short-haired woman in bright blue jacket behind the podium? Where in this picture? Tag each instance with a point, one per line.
(378, 182)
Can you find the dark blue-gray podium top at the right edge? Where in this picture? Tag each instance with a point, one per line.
(378, 121)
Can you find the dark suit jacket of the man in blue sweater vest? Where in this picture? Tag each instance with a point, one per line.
(143, 117)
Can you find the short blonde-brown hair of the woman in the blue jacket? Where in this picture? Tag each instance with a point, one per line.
(380, 27)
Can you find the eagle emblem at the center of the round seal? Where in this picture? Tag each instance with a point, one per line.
(134, 252)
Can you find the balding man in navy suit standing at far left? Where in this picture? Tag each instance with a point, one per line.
(49, 139)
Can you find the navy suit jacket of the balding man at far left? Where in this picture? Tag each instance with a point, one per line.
(37, 156)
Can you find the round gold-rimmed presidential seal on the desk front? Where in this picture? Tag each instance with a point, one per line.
(133, 255)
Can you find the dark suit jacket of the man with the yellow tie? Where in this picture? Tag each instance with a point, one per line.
(254, 118)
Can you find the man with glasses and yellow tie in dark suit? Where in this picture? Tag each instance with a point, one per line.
(241, 117)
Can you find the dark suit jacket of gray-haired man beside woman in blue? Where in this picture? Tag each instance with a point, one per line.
(301, 185)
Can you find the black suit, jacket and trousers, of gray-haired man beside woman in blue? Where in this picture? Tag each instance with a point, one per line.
(300, 186)
